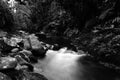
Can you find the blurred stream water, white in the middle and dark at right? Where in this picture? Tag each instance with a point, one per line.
(61, 65)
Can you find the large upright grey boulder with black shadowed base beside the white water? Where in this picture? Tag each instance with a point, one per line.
(32, 43)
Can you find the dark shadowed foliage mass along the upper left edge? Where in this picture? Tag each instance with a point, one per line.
(6, 17)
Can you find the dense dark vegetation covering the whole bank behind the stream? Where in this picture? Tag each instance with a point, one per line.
(92, 26)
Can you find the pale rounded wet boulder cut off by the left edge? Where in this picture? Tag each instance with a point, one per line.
(7, 63)
